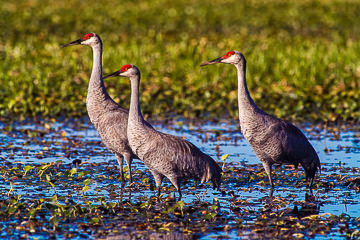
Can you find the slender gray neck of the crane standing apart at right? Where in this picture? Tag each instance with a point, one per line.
(244, 99)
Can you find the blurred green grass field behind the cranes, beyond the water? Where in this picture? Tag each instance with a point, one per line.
(303, 56)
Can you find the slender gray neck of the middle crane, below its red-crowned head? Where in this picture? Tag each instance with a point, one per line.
(135, 110)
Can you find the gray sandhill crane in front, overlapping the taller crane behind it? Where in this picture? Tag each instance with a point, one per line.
(164, 155)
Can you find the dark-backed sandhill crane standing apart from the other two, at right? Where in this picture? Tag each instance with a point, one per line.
(274, 141)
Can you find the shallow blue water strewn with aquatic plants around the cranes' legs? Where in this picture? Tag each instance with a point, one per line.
(57, 180)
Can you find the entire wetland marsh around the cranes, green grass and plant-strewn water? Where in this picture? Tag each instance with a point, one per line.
(57, 180)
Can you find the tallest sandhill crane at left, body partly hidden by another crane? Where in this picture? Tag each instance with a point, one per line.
(109, 119)
